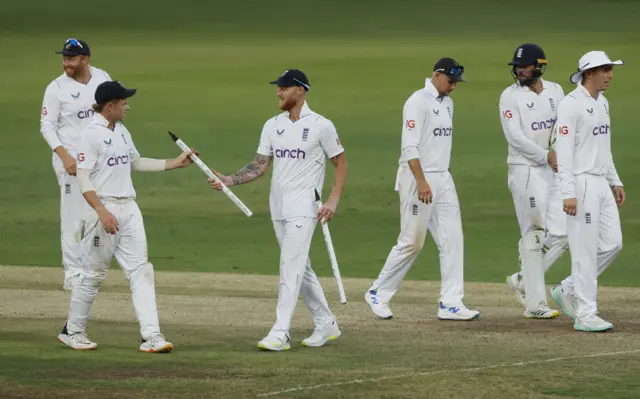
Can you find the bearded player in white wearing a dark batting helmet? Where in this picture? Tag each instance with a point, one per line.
(528, 115)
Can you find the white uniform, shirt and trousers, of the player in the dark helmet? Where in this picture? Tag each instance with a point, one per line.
(528, 120)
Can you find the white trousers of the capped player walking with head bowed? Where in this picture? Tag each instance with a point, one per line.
(442, 219)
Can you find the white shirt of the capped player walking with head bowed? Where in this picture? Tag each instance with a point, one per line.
(427, 129)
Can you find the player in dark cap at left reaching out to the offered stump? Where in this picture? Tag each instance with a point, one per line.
(114, 227)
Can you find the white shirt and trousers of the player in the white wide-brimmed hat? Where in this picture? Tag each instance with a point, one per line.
(587, 173)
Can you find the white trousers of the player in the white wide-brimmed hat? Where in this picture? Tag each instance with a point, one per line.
(595, 239)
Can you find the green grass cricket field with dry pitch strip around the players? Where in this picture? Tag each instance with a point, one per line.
(202, 69)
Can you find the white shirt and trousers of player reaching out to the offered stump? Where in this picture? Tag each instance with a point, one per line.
(108, 154)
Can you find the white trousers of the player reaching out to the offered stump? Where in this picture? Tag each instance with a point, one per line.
(129, 246)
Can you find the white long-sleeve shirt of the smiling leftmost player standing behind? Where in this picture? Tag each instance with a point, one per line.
(66, 109)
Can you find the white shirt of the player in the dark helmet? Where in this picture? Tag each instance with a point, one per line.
(527, 121)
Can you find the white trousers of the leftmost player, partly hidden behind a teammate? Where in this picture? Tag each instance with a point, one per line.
(72, 207)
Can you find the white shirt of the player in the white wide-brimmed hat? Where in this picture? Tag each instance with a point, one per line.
(584, 140)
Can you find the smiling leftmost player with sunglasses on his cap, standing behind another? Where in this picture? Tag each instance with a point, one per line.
(66, 110)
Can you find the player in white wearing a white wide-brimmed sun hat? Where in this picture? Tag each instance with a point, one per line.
(591, 189)
